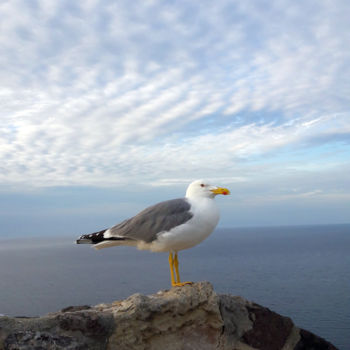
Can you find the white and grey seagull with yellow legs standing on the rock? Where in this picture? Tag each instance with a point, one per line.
(168, 226)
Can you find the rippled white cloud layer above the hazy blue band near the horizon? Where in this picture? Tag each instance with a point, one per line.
(104, 94)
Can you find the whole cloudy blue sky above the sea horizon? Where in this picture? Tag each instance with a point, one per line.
(110, 106)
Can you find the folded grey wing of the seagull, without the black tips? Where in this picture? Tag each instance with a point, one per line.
(160, 217)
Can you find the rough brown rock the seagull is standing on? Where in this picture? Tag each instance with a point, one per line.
(192, 317)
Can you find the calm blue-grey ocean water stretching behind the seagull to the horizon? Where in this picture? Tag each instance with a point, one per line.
(302, 272)
